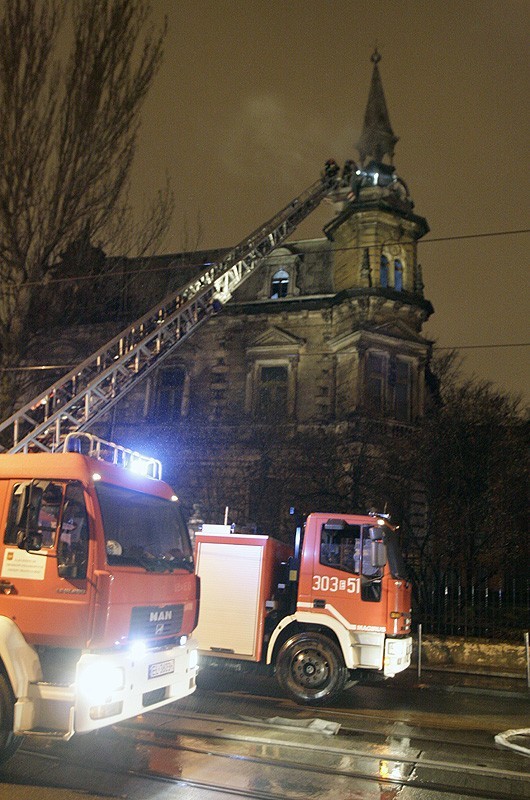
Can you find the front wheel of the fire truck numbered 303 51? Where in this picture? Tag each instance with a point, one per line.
(310, 668)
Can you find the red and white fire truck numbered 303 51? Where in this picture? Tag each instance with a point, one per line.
(320, 615)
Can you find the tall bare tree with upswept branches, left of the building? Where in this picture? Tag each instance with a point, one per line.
(71, 89)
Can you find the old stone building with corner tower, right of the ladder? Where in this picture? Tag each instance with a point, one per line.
(318, 355)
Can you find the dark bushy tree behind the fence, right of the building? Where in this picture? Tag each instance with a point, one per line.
(469, 456)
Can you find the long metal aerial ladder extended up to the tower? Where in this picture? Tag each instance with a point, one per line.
(86, 393)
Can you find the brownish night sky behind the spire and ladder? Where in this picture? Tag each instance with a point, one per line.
(254, 95)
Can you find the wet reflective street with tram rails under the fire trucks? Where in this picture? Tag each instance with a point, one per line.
(239, 738)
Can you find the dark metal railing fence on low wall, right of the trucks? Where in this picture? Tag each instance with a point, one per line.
(453, 609)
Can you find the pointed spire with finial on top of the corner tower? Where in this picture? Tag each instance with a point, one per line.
(377, 137)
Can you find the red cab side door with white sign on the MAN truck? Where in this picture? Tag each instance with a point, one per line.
(44, 561)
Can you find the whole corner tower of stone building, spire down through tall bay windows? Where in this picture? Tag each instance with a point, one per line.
(376, 273)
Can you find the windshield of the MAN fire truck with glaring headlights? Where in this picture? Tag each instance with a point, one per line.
(143, 530)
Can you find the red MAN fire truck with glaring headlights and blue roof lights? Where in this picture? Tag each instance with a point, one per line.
(98, 595)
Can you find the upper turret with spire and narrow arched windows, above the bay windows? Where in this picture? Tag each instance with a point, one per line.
(375, 231)
